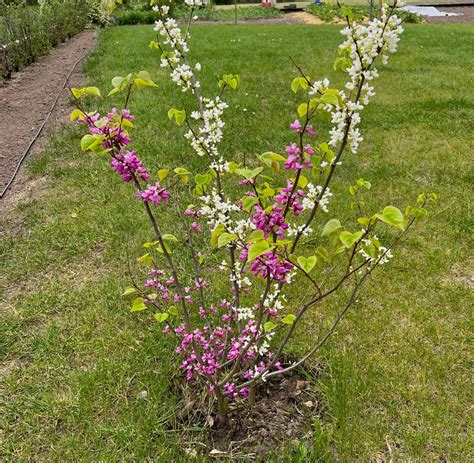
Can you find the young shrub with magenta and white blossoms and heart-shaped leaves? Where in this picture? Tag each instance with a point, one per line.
(263, 236)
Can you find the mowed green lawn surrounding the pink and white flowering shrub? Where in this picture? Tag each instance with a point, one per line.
(397, 381)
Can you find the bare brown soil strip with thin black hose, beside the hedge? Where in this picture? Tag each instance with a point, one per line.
(26, 99)
